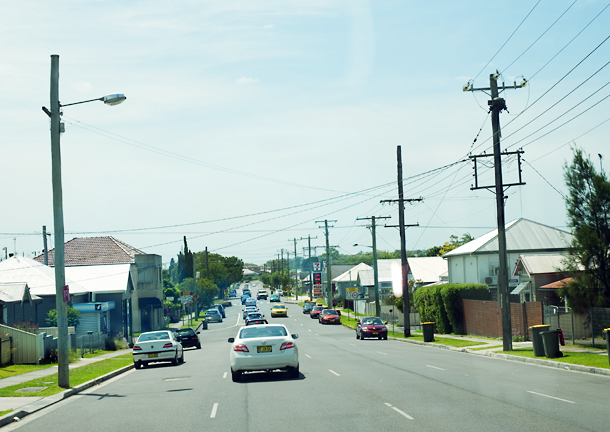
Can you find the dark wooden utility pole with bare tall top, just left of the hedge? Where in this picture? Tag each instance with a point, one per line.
(403, 244)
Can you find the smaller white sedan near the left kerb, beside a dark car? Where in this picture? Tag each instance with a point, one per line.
(157, 346)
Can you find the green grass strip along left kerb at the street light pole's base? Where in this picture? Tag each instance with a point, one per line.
(78, 376)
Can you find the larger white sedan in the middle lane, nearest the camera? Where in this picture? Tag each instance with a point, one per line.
(264, 347)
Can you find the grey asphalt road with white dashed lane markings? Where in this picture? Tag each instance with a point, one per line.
(345, 385)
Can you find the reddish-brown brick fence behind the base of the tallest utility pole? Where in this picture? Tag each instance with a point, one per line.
(484, 318)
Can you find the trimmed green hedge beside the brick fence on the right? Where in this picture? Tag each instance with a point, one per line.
(443, 304)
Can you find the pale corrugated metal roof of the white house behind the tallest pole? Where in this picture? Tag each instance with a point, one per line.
(522, 235)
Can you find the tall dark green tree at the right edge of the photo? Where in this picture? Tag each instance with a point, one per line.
(588, 207)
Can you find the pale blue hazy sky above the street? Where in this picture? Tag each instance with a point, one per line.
(249, 123)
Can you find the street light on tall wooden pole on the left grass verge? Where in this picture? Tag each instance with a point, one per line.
(62, 295)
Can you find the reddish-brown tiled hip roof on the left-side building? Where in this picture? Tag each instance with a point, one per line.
(94, 251)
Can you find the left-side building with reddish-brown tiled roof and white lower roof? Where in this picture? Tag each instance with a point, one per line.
(123, 285)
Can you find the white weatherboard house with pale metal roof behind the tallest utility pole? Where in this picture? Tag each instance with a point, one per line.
(478, 261)
